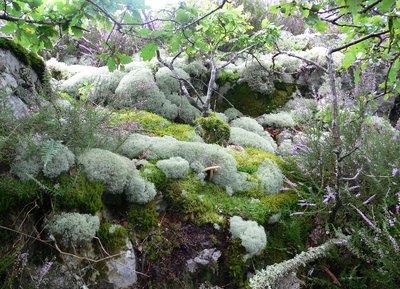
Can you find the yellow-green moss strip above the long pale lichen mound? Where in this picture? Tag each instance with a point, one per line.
(156, 125)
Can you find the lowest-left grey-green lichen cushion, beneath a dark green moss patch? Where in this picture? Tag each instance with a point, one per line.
(73, 229)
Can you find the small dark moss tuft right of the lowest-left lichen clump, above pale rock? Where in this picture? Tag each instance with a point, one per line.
(112, 237)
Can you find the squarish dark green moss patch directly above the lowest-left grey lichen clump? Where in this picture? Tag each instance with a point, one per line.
(76, 192)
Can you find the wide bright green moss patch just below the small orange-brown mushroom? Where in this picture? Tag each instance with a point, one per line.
(208, 203)
